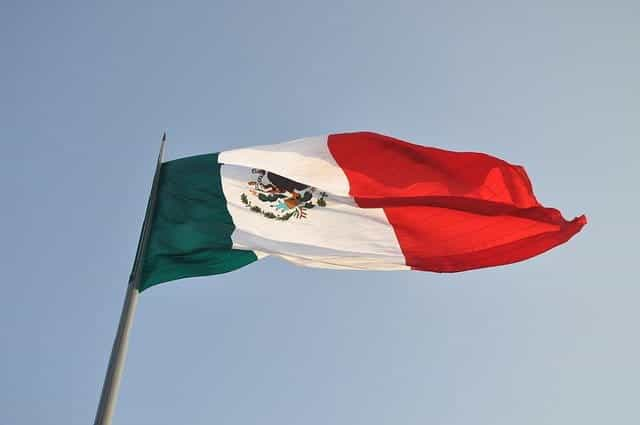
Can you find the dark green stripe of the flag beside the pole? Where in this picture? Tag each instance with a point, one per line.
(191, 226)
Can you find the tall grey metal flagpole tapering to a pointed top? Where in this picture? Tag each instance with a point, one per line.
(111, 384)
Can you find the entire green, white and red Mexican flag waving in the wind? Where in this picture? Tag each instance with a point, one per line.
(360, 201)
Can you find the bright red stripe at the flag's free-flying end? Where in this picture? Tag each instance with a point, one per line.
(451, 211)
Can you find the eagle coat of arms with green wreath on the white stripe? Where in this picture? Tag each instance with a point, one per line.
(278, 198)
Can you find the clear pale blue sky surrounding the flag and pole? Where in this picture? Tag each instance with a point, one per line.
(86, 90)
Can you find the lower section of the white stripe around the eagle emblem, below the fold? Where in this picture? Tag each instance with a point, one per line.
(339, 235)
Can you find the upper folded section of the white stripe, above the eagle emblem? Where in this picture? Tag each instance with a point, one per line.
(305, 160)
